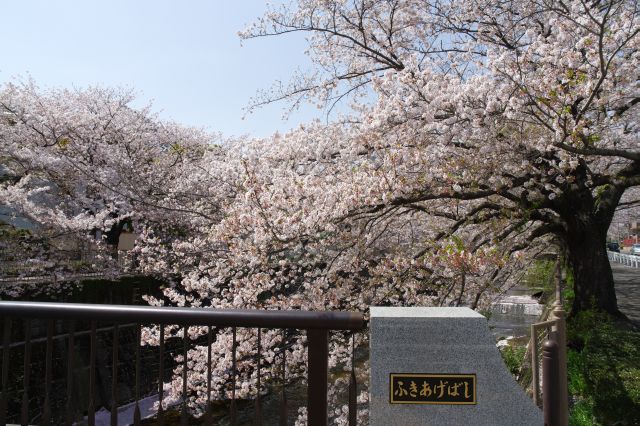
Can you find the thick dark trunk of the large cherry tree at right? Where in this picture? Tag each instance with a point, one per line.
(593, 278)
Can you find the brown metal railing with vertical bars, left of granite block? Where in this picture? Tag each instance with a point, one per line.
(316, 324)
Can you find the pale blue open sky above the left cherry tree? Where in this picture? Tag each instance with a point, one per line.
(185, 56)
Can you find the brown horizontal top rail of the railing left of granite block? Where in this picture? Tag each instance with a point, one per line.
(187, 316)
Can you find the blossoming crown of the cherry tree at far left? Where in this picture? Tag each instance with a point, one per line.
(81, 161)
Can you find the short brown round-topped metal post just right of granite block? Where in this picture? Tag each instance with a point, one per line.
(550, 384)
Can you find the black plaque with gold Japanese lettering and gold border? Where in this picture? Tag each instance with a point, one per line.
(416, 388)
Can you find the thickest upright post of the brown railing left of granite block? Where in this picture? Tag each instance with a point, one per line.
(318, 375)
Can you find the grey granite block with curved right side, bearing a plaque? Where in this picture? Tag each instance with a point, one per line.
(446, 371)
